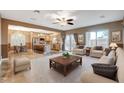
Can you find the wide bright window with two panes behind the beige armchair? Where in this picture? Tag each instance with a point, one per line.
(99, 38)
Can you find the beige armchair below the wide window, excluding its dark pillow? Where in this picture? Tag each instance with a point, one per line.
(96, 53)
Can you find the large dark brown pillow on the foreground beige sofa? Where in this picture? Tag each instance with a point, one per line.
(105, 70)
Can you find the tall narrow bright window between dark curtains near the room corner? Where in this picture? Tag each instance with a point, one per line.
(70, 42)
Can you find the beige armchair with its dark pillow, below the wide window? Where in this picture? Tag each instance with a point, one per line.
(97, 51)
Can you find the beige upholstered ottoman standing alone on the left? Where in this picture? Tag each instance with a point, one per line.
(21, 63)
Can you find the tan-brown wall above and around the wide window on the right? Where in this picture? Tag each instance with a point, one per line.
(112, 26)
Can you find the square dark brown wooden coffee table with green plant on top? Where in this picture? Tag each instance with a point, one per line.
(65, 65)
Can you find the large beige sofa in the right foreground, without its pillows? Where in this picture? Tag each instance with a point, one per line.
(91, 77)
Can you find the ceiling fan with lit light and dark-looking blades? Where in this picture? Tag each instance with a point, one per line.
(64, 21)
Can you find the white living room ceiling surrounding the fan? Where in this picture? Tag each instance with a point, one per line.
(83, 17)
